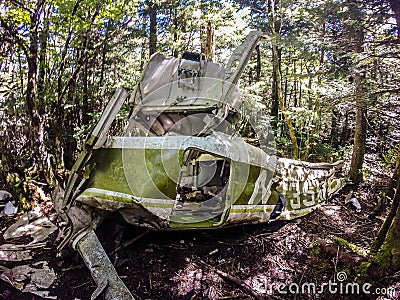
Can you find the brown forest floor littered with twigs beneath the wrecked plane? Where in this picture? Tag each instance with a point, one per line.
(264, 261)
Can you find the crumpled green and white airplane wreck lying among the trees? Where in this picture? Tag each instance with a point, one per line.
(181, 164)
